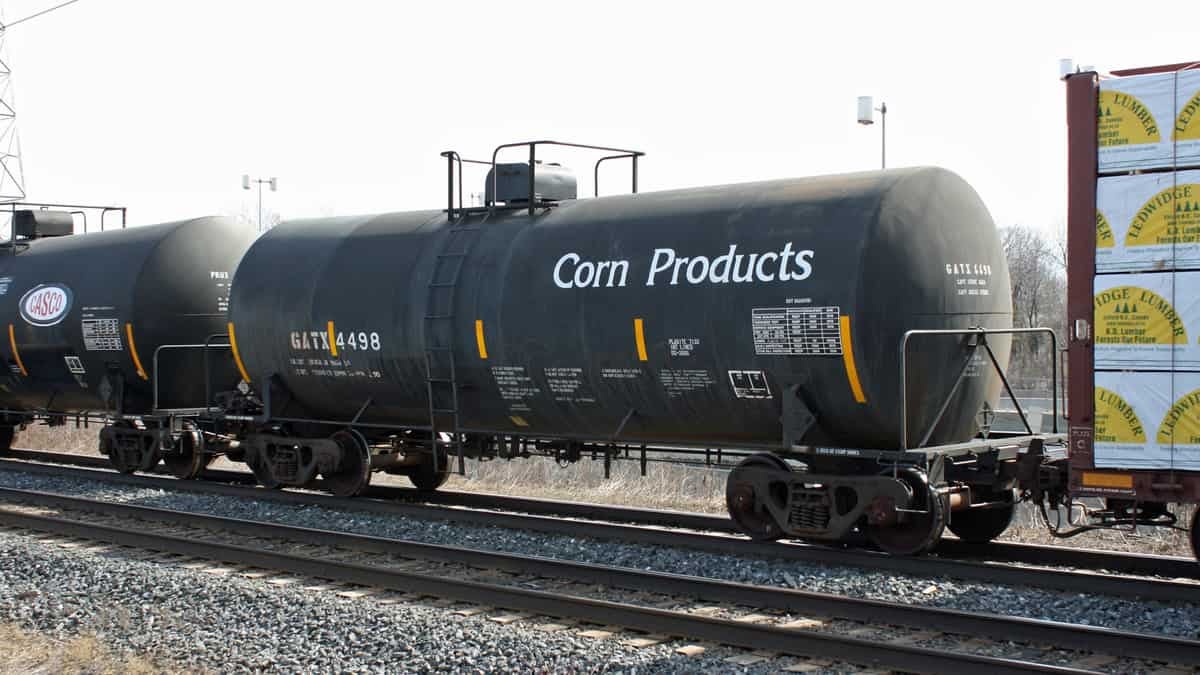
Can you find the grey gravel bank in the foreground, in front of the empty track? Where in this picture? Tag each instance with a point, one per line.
(230, 624)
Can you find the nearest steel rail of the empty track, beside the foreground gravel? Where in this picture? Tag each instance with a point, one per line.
(728, 632)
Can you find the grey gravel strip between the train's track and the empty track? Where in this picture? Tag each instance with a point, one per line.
(1175, 619)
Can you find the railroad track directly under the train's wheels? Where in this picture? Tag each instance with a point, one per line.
(1070, 581)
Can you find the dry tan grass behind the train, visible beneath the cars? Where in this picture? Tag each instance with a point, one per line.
(665, 487)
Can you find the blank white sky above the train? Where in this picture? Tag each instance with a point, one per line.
(163, 106)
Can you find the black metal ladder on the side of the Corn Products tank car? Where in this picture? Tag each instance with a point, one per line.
(441, 373)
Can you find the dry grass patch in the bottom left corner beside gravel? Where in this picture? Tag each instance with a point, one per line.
(25, 652)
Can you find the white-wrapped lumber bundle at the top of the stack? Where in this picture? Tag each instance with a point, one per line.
(1149, 122)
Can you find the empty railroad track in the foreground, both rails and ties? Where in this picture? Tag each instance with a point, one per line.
(785, 622)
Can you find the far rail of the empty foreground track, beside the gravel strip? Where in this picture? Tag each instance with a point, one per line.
(1065, 636)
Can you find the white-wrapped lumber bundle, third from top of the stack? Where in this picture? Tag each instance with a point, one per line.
(1148, 321)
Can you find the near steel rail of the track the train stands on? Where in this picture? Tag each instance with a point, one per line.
(717, 543)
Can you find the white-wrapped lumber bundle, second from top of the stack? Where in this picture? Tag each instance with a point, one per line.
(1149, 223)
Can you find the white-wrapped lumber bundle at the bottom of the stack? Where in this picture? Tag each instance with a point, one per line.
(1148, 421)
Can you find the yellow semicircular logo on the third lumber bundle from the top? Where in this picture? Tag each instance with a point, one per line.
(1129, 315)
